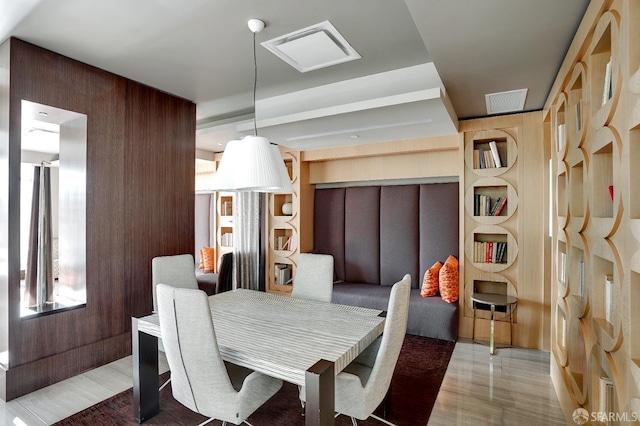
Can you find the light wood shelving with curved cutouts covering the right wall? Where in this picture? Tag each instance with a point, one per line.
(596, 220)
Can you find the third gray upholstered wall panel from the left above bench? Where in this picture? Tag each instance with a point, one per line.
(399, 236)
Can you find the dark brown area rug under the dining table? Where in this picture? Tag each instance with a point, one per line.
(414, 388)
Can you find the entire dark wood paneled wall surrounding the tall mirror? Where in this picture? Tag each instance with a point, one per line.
(140, 204)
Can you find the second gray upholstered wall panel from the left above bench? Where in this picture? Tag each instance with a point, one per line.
(362, 234)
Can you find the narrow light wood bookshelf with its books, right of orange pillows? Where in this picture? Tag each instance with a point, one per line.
(491, 203)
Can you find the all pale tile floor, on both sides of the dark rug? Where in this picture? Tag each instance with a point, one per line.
(512, 387)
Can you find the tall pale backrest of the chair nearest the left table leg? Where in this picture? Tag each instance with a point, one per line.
(199, 379)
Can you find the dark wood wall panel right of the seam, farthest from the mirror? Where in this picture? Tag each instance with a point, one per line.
(159, 155)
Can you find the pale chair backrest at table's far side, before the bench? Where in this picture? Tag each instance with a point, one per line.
(314, 277)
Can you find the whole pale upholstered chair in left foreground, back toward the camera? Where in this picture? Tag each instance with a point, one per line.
(201, 380)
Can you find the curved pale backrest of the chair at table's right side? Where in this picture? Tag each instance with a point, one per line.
(391, 343)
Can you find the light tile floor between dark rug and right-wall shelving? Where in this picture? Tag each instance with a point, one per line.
(512, 387)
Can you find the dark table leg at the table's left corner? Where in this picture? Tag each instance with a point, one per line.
(146, 396)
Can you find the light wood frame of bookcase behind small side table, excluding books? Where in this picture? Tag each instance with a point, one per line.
(477, 274)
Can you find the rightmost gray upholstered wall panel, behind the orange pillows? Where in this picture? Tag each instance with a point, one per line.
(439, 223)
